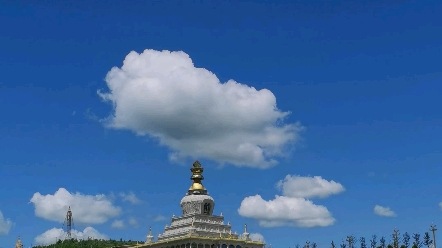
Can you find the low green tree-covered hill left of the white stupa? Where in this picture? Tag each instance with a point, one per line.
(95, 243)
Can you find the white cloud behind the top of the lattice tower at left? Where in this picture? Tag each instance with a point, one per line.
(86, 209)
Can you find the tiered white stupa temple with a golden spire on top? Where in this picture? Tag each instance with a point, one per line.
(198, 227)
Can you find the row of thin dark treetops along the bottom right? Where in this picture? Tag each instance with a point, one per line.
(396, 241)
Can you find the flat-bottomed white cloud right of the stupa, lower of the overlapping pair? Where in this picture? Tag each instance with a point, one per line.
(285, 211)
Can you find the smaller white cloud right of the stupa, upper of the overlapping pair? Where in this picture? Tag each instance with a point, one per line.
(309, 187)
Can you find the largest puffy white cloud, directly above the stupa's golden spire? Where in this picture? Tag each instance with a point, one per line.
(163, 95)
